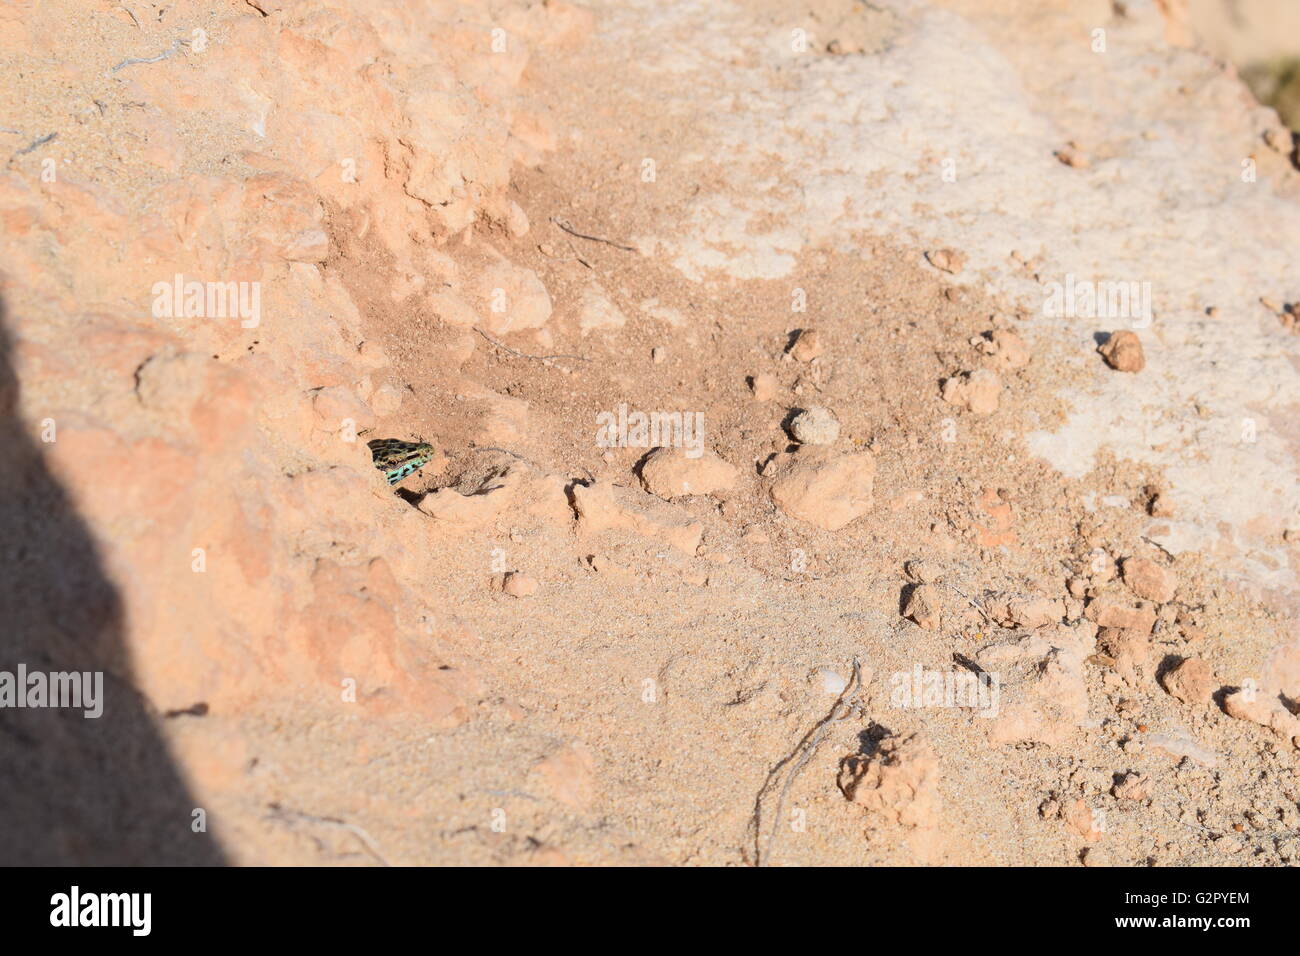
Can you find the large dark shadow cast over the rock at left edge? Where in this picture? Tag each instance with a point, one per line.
(77, 790)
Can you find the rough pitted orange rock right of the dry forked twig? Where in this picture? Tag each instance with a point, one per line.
(898, 784)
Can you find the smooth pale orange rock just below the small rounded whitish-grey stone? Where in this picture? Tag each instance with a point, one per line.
(825, 491)
